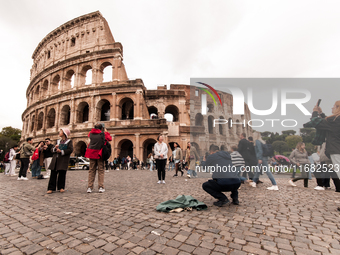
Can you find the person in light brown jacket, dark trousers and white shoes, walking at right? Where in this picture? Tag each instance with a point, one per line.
(299, 157)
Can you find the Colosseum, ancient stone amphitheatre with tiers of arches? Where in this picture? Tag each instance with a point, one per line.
(78, 79)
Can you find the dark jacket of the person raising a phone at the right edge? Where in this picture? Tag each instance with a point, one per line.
(332, 128)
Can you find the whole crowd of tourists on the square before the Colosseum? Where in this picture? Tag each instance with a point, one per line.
(244, 163)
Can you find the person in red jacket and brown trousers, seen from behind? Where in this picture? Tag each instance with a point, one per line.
(98, 137)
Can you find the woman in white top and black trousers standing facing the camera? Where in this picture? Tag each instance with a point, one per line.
(161, 152)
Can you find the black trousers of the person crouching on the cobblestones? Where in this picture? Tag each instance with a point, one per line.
(215, 190)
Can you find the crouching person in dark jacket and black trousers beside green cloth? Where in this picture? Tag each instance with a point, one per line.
(225, 177)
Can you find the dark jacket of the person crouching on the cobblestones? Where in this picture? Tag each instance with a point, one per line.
(226, 174)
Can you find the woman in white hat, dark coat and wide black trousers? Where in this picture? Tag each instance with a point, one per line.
(60, 161)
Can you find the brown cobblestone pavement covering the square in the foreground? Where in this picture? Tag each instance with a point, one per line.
(123, 220)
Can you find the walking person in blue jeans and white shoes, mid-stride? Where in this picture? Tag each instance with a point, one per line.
(262, 154)
